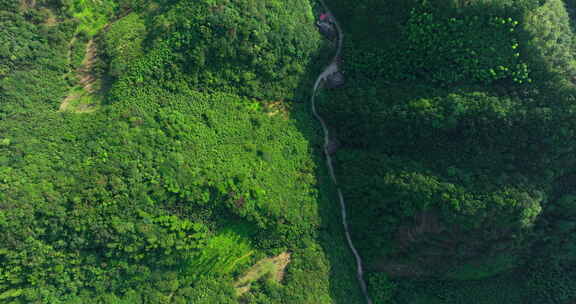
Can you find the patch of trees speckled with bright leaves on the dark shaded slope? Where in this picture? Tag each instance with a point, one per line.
(449, 50)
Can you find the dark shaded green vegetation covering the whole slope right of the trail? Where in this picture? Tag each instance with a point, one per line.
(458, 124)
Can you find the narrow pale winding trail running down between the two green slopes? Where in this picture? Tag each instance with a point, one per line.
(329, 70)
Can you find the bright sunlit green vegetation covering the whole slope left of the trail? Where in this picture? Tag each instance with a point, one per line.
(194, 168)
